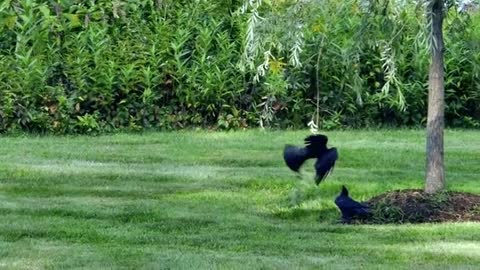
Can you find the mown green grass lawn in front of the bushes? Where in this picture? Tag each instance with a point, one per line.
(221, 200)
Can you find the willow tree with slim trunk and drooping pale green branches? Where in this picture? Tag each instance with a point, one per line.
(282, 29)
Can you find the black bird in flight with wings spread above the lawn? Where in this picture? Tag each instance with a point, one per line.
(315, 147)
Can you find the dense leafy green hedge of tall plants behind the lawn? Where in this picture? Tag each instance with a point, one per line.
(75, 66)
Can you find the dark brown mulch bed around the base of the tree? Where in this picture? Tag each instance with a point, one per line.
(415, 206)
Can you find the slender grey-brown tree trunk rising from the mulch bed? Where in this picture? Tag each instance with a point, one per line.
(435, 174)
